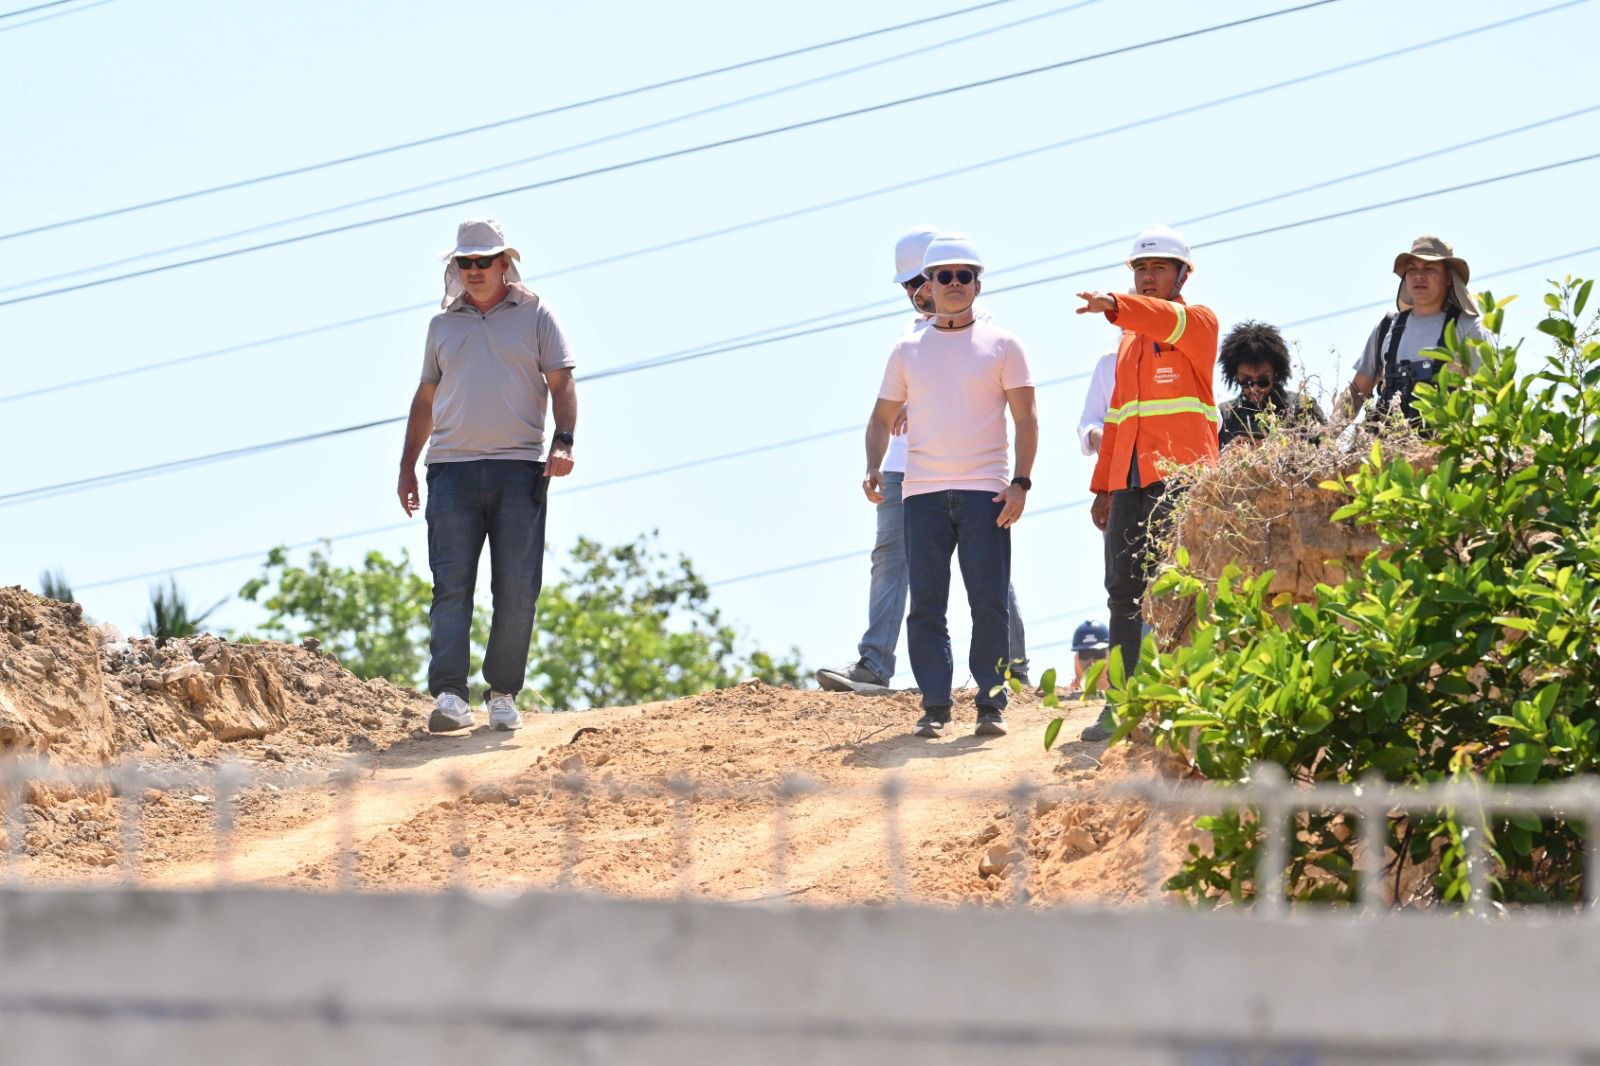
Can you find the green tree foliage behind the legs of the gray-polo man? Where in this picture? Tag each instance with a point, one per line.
(623, 625)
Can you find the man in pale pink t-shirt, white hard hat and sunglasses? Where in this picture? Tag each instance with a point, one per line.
(956, 380)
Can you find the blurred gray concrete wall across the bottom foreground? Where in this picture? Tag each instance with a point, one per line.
(262, 977)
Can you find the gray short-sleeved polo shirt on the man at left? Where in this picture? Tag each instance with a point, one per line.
(490, 374)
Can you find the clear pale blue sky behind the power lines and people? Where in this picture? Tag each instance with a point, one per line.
(135, 100)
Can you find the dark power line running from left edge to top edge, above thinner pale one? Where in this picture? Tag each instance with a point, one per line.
(494, 126)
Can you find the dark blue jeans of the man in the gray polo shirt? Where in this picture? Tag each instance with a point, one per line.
(502, 500)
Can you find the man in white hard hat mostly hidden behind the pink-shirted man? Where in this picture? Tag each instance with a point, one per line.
(874, 665)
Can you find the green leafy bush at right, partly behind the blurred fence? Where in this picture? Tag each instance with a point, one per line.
(1465, 649)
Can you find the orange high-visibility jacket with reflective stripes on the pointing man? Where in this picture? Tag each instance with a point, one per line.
(1162, 403)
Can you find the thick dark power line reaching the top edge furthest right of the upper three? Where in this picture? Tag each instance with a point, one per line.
(682, 153)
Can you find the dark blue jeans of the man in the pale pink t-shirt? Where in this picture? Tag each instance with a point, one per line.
(937, 526)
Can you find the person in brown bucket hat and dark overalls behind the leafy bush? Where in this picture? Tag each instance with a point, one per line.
(1433, 294)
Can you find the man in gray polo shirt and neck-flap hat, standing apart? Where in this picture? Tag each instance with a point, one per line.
(495, 358)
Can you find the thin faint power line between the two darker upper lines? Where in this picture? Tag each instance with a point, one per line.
(545, 154)
